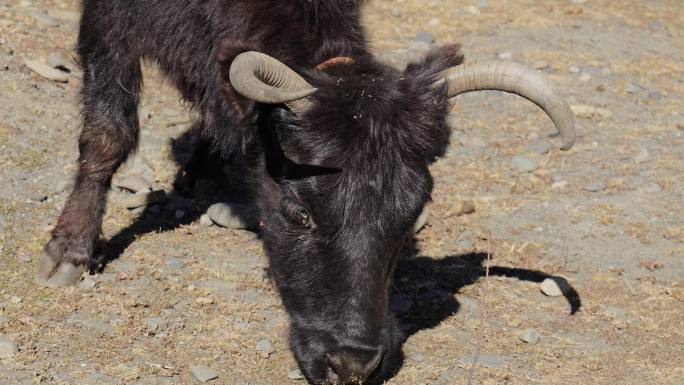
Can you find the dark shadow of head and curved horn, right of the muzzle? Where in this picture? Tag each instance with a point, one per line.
(423, 291)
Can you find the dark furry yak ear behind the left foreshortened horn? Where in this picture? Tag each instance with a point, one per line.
(227, 50)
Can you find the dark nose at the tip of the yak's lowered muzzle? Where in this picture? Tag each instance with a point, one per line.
(353, 365)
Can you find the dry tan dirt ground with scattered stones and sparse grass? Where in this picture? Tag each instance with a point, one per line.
(606, 216)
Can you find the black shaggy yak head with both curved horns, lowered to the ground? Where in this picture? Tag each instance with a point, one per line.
(346, 148)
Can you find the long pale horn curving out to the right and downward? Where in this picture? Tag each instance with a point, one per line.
(517, 79)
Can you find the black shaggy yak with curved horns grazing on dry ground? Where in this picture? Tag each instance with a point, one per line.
(338, 146)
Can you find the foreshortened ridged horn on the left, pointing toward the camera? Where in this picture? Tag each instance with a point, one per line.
(266, 80)
